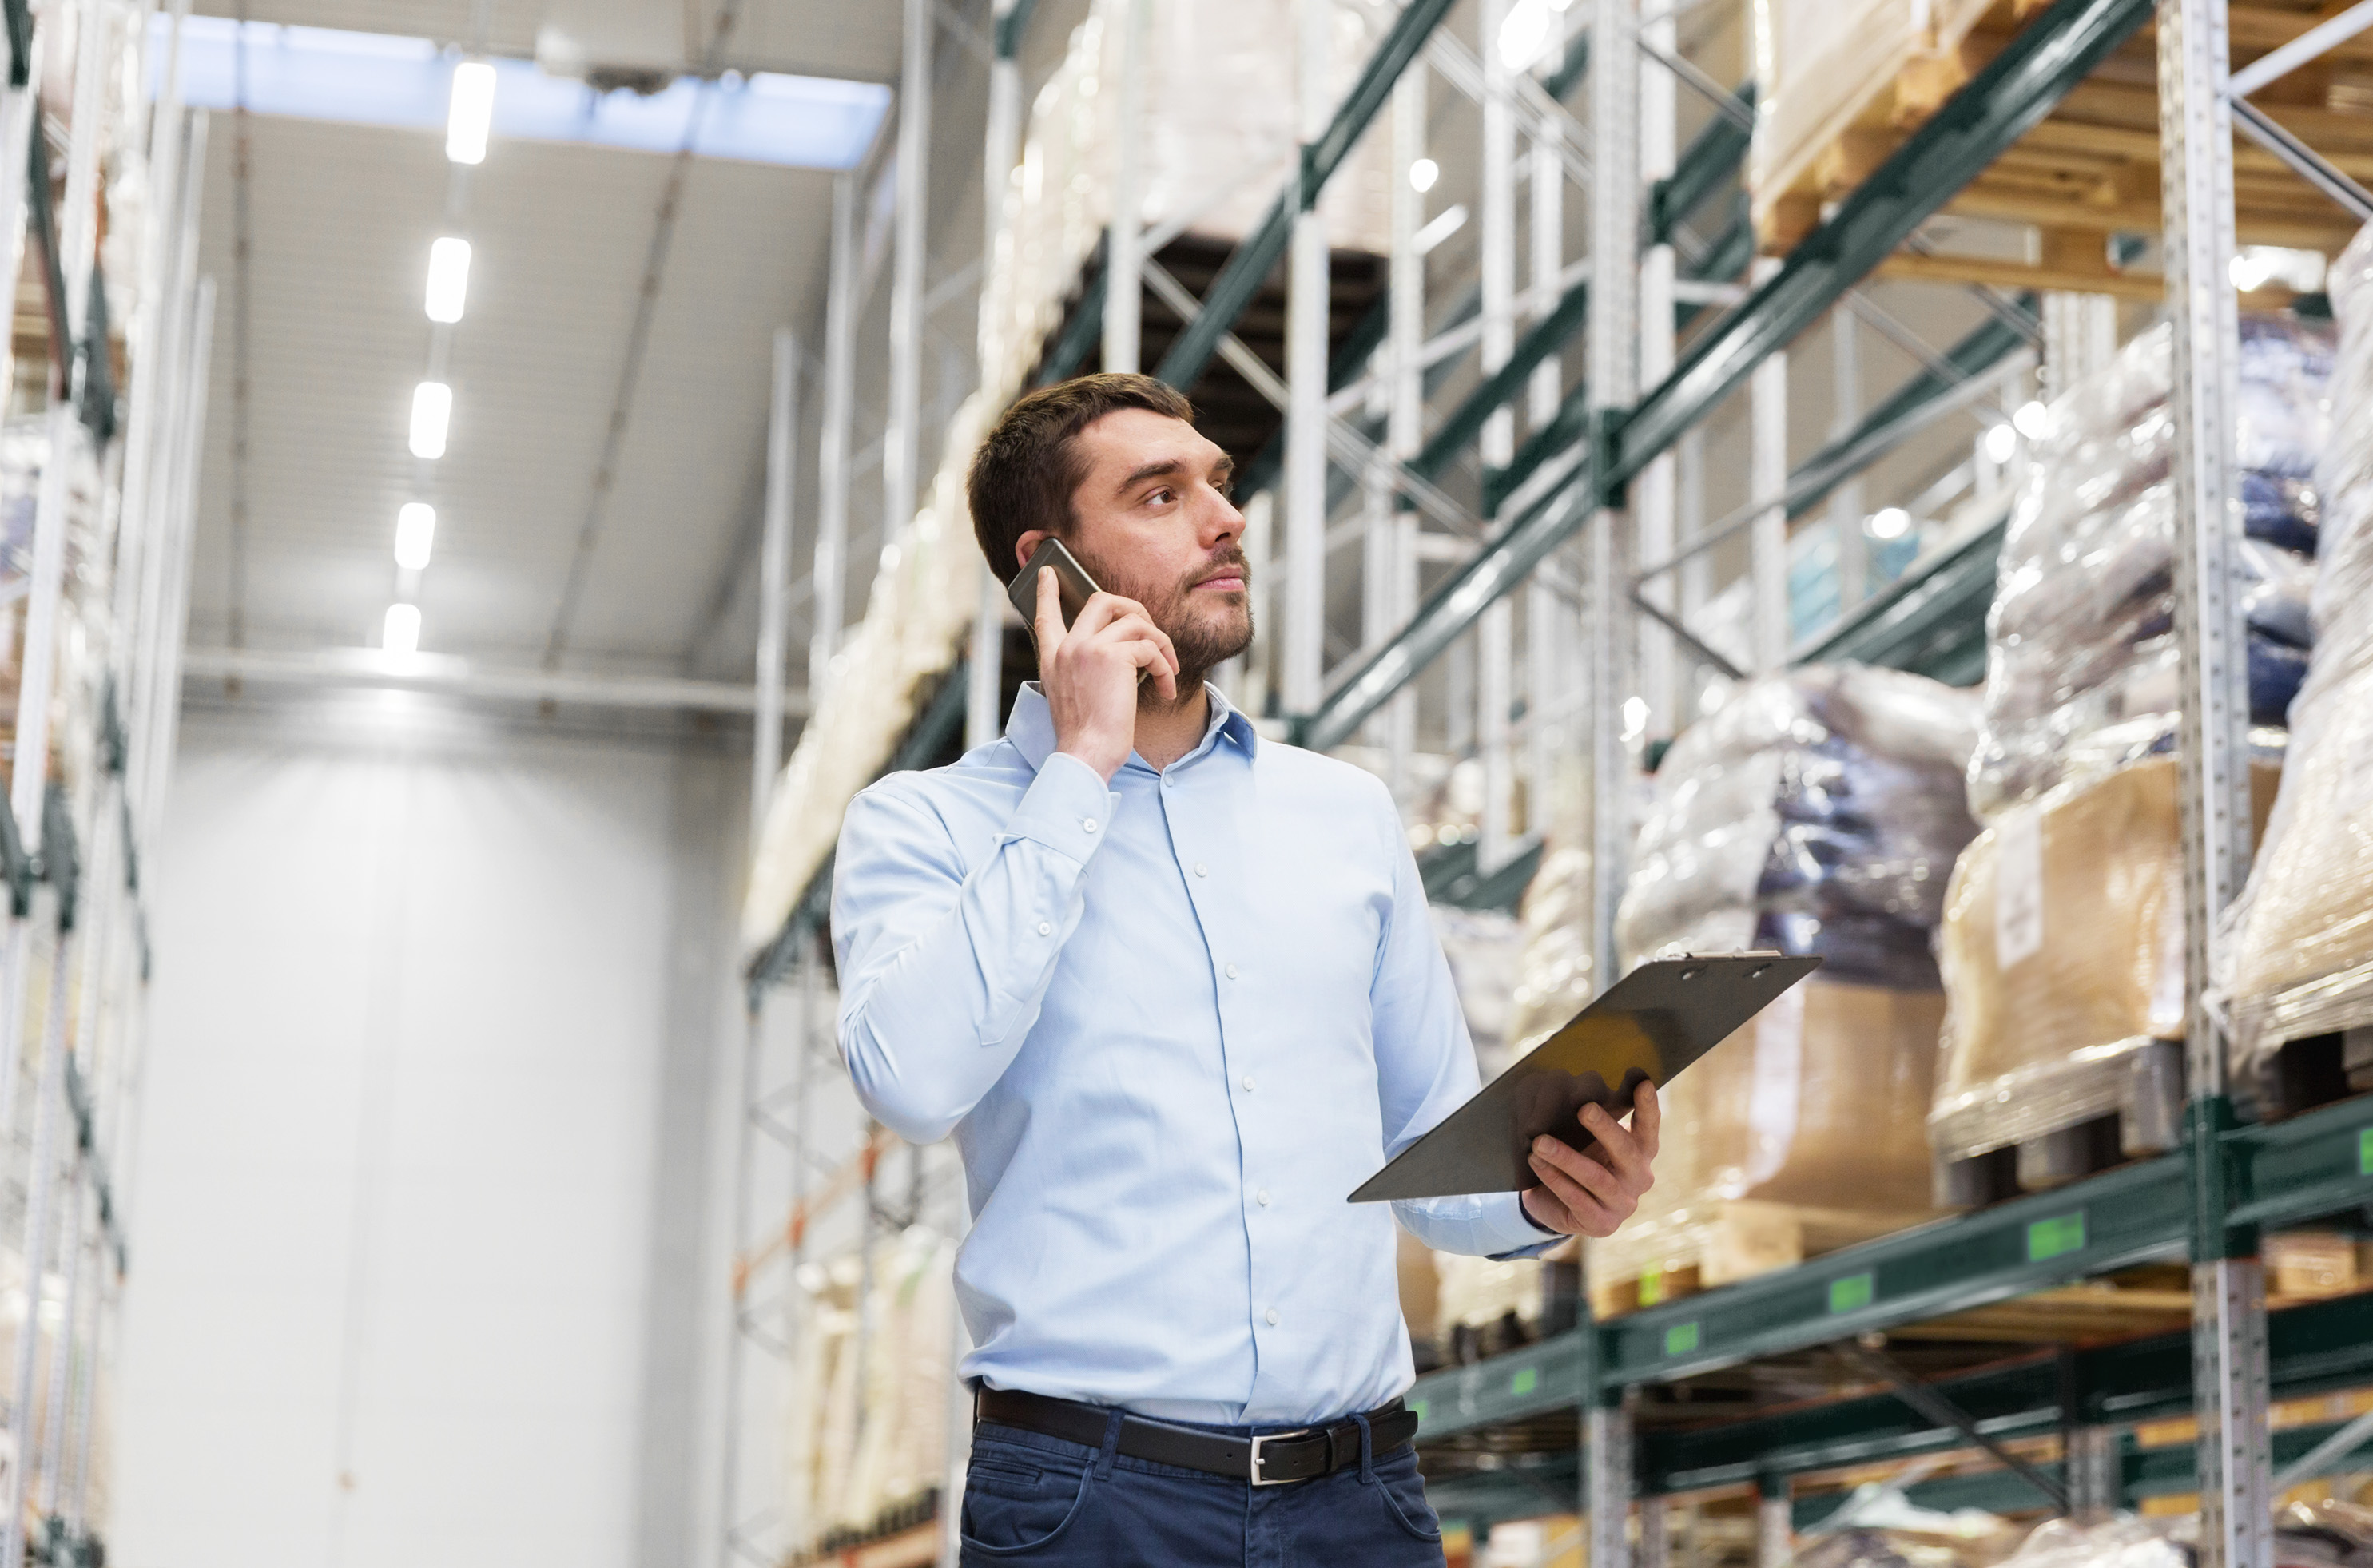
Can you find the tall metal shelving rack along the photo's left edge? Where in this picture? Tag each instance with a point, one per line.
(87, 793)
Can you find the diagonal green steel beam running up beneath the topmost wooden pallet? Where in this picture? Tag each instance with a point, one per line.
(1997, 108)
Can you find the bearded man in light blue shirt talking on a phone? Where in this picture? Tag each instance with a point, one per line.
(1176, 993)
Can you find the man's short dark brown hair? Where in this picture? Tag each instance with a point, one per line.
(1026, 473)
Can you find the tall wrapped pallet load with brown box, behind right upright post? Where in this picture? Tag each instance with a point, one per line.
(2063, 929)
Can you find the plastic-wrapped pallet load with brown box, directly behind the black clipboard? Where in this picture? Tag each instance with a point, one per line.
(1814, 815)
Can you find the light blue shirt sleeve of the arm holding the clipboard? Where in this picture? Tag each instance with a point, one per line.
(1427, 1069)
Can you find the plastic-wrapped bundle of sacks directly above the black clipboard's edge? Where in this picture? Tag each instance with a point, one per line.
(1819, 815)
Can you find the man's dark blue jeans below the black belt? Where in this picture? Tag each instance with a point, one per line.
(1045, 1500)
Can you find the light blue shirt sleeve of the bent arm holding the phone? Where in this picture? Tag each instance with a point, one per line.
(943, 967)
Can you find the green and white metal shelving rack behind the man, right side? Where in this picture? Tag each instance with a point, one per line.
(1586, 509)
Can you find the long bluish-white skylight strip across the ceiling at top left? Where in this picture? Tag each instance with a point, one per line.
(381, 79)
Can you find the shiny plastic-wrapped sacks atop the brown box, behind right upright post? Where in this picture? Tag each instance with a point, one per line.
(2080, 642)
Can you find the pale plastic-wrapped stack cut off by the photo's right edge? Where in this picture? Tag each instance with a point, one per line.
(2301, 938)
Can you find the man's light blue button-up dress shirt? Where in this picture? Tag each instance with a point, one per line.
(1173, 1024)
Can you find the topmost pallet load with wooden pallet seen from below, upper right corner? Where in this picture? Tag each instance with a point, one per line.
(1840, 87)
